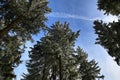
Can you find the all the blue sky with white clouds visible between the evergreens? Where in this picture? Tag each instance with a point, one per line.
(80, 14)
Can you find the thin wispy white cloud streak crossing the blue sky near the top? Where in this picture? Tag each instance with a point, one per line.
(109, 18)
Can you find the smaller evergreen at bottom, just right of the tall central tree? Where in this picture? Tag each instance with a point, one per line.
(88, 69)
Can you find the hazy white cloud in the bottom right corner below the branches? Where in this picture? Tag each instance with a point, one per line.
(111, 69)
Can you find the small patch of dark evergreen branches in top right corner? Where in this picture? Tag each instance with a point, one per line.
(109, 6)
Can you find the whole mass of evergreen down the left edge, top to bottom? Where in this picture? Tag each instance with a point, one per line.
(19, 19)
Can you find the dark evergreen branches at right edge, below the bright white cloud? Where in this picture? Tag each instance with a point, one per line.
(109, 37)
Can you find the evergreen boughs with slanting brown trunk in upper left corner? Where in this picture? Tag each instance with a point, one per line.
(22, 17)
